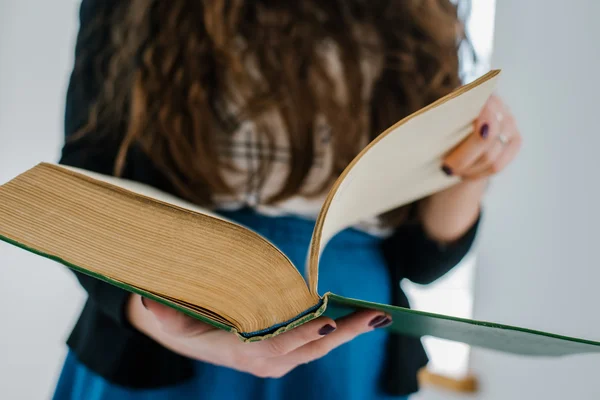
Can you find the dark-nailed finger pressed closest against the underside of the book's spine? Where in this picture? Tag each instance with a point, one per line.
(287, 342)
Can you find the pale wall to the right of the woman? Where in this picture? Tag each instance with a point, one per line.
(538, 262)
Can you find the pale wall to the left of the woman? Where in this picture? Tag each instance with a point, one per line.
(38, 299)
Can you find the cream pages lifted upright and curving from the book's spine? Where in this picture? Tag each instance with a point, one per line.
(402, 165)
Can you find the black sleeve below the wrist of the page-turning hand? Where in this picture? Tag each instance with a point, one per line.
(421, 259)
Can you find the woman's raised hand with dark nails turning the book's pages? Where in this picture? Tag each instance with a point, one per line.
(490, 148)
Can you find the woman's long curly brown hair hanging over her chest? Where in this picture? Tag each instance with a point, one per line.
(172, 65)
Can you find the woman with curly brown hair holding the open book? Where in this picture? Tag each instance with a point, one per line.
(253, 108)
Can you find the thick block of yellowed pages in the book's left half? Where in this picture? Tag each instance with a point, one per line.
(203, 263)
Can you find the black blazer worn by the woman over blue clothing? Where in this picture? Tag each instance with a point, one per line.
(103, 339)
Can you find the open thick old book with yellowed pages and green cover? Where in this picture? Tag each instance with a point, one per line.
(154, 244)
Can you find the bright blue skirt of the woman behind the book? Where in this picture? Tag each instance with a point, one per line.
(352, 265)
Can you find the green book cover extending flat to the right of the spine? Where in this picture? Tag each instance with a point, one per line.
(504, 338)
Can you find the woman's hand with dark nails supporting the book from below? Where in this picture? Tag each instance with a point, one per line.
(271, 358)
